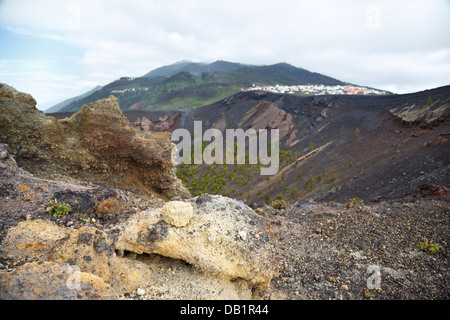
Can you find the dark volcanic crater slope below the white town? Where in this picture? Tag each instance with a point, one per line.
(332, 147)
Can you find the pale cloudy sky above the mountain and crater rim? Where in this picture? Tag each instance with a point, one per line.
(56, 50)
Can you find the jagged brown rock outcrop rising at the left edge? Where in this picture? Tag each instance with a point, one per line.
(95, 145)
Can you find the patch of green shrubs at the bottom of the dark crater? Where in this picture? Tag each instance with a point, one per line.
(238, 180)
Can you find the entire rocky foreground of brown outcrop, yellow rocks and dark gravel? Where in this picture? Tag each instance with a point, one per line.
(117, 243)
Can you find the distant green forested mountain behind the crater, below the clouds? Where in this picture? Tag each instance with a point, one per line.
(186, 85)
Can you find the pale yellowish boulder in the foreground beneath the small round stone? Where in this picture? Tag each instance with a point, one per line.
(211, 241)
